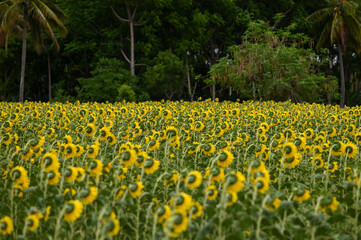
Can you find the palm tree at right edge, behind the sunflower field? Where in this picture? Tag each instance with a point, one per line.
(340, 23)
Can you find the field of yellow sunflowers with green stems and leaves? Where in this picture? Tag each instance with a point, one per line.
(179, 170)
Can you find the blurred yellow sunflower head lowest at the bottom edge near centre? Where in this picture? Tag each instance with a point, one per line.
(176, 224)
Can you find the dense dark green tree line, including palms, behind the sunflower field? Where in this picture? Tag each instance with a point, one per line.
(184, 49)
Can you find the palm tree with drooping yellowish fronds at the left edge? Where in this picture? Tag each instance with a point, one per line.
(35, 17)
